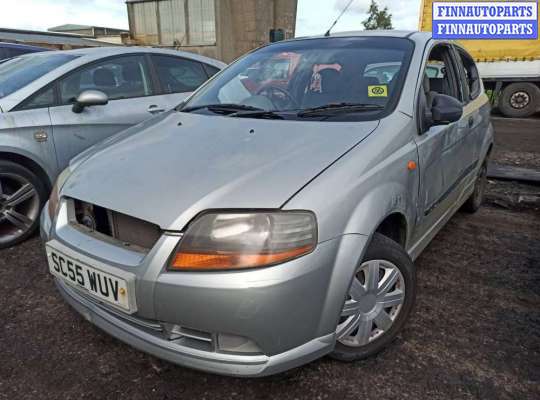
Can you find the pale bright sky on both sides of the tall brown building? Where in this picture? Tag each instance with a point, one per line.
(314, 16)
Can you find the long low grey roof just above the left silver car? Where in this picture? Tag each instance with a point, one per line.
(19, 35)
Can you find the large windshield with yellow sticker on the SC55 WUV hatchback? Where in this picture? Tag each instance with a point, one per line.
(363, 76)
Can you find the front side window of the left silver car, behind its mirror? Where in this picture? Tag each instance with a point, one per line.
(120, 78)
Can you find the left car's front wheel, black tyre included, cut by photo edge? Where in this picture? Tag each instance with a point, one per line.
(22, 195)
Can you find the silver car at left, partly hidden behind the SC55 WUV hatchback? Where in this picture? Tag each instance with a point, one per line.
(54, 105)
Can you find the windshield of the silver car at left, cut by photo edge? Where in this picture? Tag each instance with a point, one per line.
(19, 72)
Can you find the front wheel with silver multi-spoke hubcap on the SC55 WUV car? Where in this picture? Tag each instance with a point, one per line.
(379, 302)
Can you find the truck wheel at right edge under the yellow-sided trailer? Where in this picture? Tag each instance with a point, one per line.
(520, 100)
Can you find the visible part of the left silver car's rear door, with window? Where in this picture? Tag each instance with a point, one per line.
(178, 77)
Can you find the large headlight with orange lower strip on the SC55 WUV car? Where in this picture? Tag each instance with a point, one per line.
(217, 241)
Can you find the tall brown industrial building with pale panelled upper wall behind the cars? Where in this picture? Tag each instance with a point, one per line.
(222, 29)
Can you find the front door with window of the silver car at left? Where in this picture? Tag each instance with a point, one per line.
(128, 83)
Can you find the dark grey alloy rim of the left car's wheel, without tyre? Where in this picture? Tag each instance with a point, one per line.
(19, 207)
